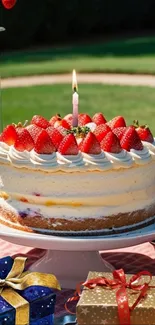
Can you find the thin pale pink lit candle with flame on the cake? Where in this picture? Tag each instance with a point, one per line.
(75, 100)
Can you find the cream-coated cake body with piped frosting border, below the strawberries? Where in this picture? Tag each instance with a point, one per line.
(76, 193)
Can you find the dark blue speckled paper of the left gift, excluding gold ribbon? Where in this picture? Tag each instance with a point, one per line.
(41, 301)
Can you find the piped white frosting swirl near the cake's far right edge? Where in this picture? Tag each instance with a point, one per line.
(141, 157)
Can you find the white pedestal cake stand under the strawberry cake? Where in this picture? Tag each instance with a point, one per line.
(70, 258)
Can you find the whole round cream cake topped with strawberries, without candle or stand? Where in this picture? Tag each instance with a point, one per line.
(97, 177)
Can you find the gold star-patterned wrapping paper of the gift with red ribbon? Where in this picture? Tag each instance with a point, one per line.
(98, 306)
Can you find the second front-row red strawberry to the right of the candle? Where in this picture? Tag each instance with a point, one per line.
(111, 143)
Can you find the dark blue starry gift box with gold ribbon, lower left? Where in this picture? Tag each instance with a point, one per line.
(33, 305)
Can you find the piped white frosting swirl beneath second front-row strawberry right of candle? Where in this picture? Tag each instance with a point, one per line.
(122, 159)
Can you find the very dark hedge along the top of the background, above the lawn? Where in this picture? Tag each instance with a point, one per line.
(46, 21)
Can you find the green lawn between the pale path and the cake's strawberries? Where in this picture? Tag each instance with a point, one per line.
(132, 102)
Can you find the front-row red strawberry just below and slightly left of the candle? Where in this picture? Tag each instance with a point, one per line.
(68, 145)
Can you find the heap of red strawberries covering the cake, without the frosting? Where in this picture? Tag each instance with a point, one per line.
(91, 136)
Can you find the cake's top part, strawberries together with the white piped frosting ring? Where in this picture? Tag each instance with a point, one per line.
(96, 143)
